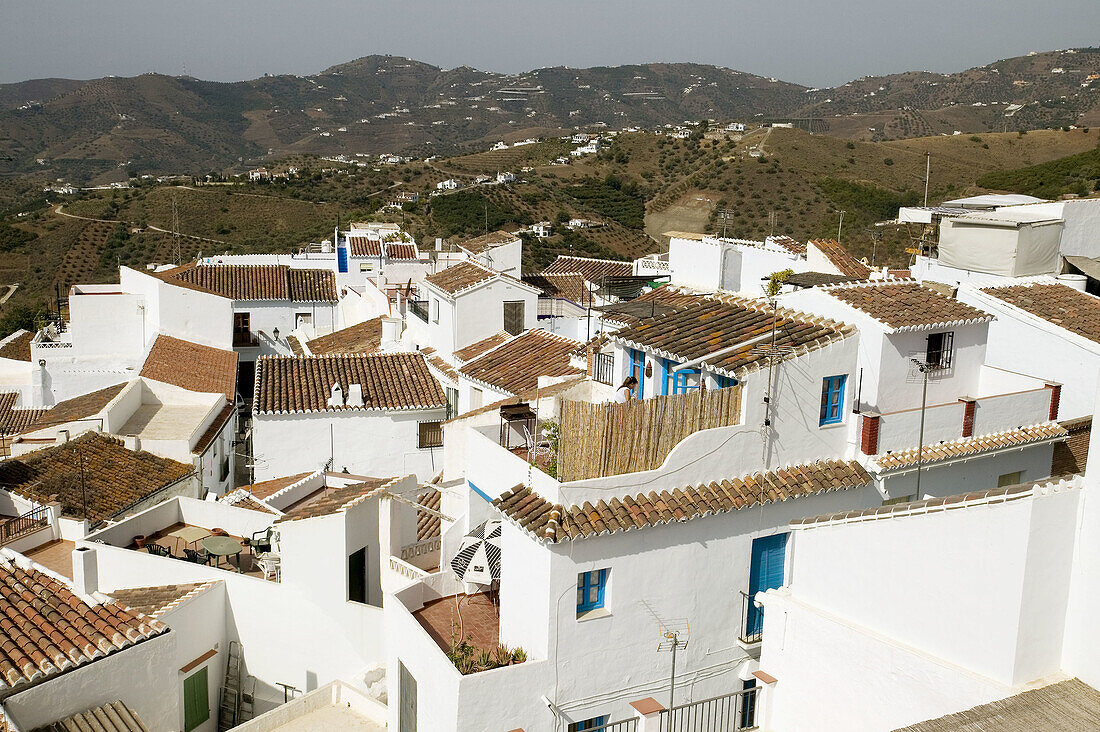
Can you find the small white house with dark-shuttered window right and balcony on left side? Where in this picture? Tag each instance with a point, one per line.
(467, 303)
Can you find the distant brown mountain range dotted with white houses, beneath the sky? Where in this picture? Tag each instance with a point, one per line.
(105, 129)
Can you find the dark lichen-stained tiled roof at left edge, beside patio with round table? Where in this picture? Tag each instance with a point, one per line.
(115, 478)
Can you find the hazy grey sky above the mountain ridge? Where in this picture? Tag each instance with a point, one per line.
(813, 42)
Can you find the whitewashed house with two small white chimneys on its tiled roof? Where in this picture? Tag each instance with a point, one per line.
(371, 414)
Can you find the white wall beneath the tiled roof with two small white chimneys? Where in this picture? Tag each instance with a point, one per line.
(366, 442)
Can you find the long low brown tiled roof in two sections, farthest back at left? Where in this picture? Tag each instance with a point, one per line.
(258, 282)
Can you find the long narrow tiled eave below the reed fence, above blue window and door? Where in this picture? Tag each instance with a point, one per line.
(557, 523)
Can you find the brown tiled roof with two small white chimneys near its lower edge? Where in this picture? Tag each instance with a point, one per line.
(390, 381)
